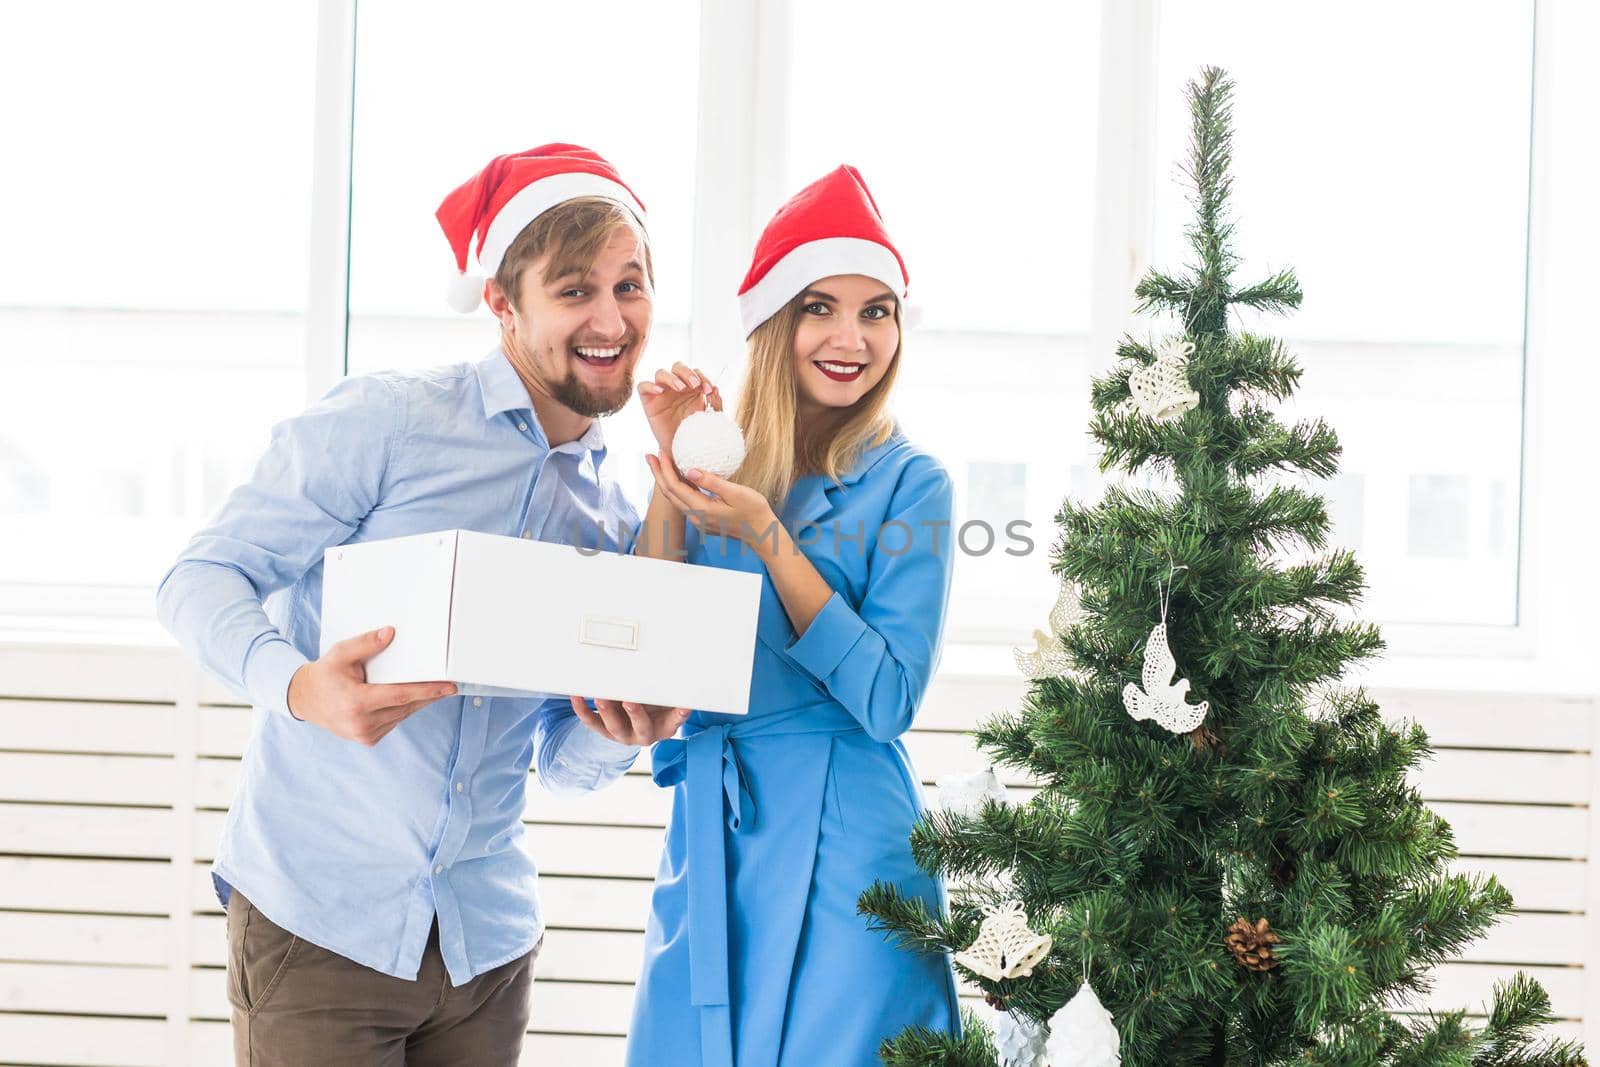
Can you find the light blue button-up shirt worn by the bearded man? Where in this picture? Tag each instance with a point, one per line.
(358, 849)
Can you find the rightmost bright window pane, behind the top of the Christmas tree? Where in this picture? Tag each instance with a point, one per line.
(1383, 153)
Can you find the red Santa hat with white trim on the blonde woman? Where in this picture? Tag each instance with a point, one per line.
(833, 226)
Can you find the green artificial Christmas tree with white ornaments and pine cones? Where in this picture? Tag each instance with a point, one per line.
(1287, 801)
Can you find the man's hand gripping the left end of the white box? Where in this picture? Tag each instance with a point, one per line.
(334, 693)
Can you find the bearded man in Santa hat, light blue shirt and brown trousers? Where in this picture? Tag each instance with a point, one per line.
(382, 908)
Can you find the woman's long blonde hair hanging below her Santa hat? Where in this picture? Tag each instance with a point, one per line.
(777, 449)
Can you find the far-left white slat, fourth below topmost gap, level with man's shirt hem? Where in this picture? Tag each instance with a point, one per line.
(86, 885)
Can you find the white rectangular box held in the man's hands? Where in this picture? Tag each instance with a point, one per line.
(505, 615)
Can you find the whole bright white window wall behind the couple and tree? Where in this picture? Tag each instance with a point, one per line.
(146, 367)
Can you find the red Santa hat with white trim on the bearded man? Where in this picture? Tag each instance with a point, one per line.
(510, 194)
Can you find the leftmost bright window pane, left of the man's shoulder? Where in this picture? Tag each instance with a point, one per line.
(151, 310)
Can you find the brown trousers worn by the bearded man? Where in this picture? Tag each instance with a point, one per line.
(298, 1005)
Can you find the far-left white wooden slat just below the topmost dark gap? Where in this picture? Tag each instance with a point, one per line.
(82, 727)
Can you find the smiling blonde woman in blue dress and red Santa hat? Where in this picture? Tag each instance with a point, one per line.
(754, 953)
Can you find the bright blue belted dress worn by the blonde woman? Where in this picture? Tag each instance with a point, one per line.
(754, 953)
